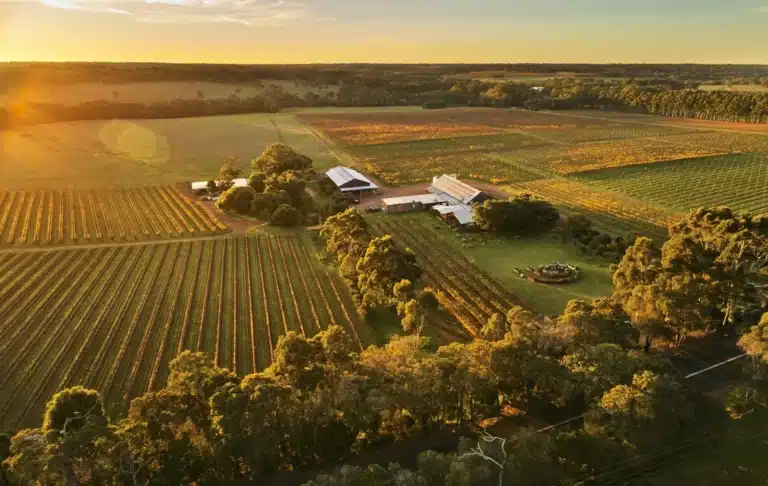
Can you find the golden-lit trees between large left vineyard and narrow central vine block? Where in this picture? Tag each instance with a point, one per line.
(372, 265)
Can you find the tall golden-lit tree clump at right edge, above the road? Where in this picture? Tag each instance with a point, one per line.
(713, 264)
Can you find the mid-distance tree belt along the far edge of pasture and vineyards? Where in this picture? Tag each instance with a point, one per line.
(378, 87)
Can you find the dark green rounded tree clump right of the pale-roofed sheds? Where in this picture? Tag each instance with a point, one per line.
(522, 215)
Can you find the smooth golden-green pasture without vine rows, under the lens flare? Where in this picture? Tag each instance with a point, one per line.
(132, 153)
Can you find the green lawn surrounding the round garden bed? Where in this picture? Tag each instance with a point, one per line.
(500, 257)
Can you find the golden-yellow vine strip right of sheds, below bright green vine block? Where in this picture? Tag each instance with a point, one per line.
(609, 212)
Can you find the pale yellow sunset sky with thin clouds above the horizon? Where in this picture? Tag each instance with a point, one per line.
(397, 31)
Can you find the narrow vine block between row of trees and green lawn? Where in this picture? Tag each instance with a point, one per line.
(467, 292)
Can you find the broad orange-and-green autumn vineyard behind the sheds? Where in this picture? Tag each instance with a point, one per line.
(402, 147)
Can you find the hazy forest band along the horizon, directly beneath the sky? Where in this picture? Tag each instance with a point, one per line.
(66, 73)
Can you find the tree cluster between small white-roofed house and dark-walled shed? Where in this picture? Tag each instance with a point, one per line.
(276, 190)
